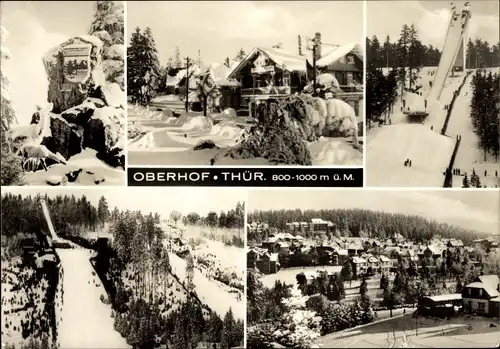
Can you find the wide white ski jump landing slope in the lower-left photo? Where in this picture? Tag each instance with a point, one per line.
(85, 321)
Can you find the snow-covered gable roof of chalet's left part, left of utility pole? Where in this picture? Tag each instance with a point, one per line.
(283, 59)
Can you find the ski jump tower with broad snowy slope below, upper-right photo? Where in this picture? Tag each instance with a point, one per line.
(430, 152)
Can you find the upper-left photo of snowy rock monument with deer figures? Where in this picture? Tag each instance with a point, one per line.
(63, 94)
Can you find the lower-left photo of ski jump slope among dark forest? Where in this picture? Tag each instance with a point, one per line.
(123, 268)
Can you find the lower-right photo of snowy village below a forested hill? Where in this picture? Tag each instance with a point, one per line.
(367, 268)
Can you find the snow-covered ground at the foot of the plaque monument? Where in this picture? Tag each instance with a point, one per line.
(93, 172)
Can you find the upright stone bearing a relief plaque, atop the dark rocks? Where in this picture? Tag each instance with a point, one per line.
(71, 68)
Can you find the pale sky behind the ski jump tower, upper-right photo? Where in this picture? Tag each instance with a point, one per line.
(431, 19)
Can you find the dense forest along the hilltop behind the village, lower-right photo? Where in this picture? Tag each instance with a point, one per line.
(362, 223)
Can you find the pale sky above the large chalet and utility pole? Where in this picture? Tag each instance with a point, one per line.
(220, 28)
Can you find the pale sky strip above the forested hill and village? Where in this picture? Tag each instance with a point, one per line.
(478, 210)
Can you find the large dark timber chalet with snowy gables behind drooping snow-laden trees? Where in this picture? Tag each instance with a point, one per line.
(275, 73)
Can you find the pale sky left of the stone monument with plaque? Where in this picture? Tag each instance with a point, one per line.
(34, 27)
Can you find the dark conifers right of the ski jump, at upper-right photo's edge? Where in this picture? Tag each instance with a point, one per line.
(485, 108)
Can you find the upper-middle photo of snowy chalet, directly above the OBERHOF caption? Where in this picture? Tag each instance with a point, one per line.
(263, 83)
